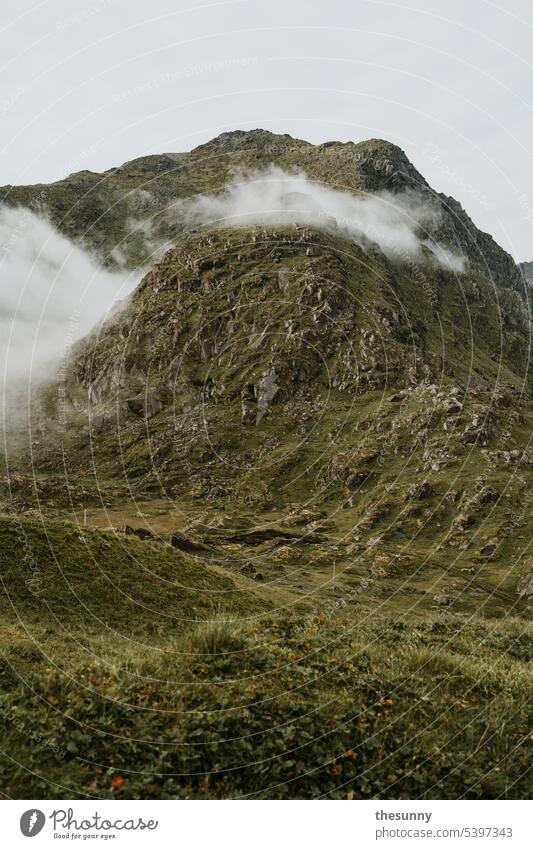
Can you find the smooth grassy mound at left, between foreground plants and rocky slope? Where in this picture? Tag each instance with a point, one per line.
(67, 576)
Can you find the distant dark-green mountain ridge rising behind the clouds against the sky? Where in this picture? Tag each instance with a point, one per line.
(123, 213)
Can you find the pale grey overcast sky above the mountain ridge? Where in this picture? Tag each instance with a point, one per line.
(92, 83)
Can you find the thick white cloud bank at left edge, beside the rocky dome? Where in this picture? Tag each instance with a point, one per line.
(51, 294)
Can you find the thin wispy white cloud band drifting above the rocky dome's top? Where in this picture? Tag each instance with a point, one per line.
(399, 224)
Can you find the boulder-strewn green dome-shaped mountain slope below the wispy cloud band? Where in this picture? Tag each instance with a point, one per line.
(309, 394)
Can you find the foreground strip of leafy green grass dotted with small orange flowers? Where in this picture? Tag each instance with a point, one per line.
(369, 709)
